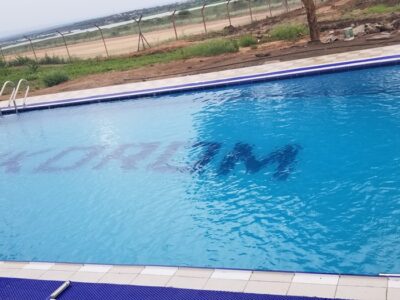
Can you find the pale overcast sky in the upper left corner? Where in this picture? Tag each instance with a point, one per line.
(19, 16)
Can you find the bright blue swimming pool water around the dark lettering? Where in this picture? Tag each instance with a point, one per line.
(337, 211)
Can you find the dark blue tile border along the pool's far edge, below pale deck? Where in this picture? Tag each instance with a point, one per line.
(262, 77)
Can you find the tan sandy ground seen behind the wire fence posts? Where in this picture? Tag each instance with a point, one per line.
(128, 44)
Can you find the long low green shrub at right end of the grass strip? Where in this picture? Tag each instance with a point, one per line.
(211, 48)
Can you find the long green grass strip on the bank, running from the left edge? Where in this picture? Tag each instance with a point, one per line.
(39, 76)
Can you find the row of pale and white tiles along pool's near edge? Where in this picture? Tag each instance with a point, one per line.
(243, 281)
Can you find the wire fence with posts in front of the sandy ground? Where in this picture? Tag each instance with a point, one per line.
(137, 34)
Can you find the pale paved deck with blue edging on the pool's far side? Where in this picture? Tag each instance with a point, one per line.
(205, 80)
